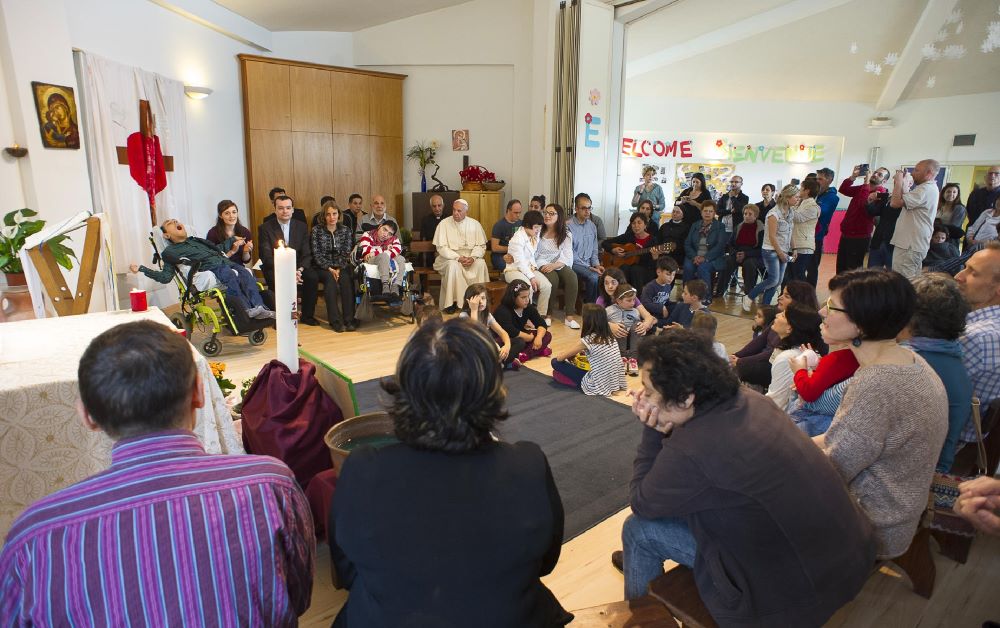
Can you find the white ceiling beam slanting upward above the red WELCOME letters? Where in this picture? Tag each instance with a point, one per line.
(777, 17)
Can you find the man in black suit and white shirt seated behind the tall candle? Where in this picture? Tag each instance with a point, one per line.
(295, 235)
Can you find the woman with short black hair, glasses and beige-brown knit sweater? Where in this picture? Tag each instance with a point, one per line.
(887, 434)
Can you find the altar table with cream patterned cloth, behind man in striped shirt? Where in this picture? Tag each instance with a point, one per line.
(43, 445)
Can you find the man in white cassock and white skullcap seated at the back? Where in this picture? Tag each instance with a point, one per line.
(461, 246)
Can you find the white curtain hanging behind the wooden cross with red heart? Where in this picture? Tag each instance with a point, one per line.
(110, 113)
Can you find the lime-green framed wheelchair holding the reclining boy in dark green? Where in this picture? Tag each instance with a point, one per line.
(205, 306)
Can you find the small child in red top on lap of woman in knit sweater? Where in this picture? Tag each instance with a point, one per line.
(820, 385)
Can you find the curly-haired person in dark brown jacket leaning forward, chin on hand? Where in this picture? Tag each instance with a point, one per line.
(726, 485)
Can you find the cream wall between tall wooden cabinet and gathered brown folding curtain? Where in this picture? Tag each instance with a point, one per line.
(470, 66)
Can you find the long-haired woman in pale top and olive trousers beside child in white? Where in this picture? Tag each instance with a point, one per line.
(554, 259)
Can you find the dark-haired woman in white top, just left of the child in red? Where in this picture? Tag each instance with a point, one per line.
(797, 325)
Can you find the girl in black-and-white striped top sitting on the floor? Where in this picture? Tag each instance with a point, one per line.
(607, 371)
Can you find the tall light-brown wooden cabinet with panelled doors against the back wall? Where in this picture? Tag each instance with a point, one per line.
(316, 130)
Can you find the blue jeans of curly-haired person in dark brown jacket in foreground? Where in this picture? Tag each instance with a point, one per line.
(649, 542)
